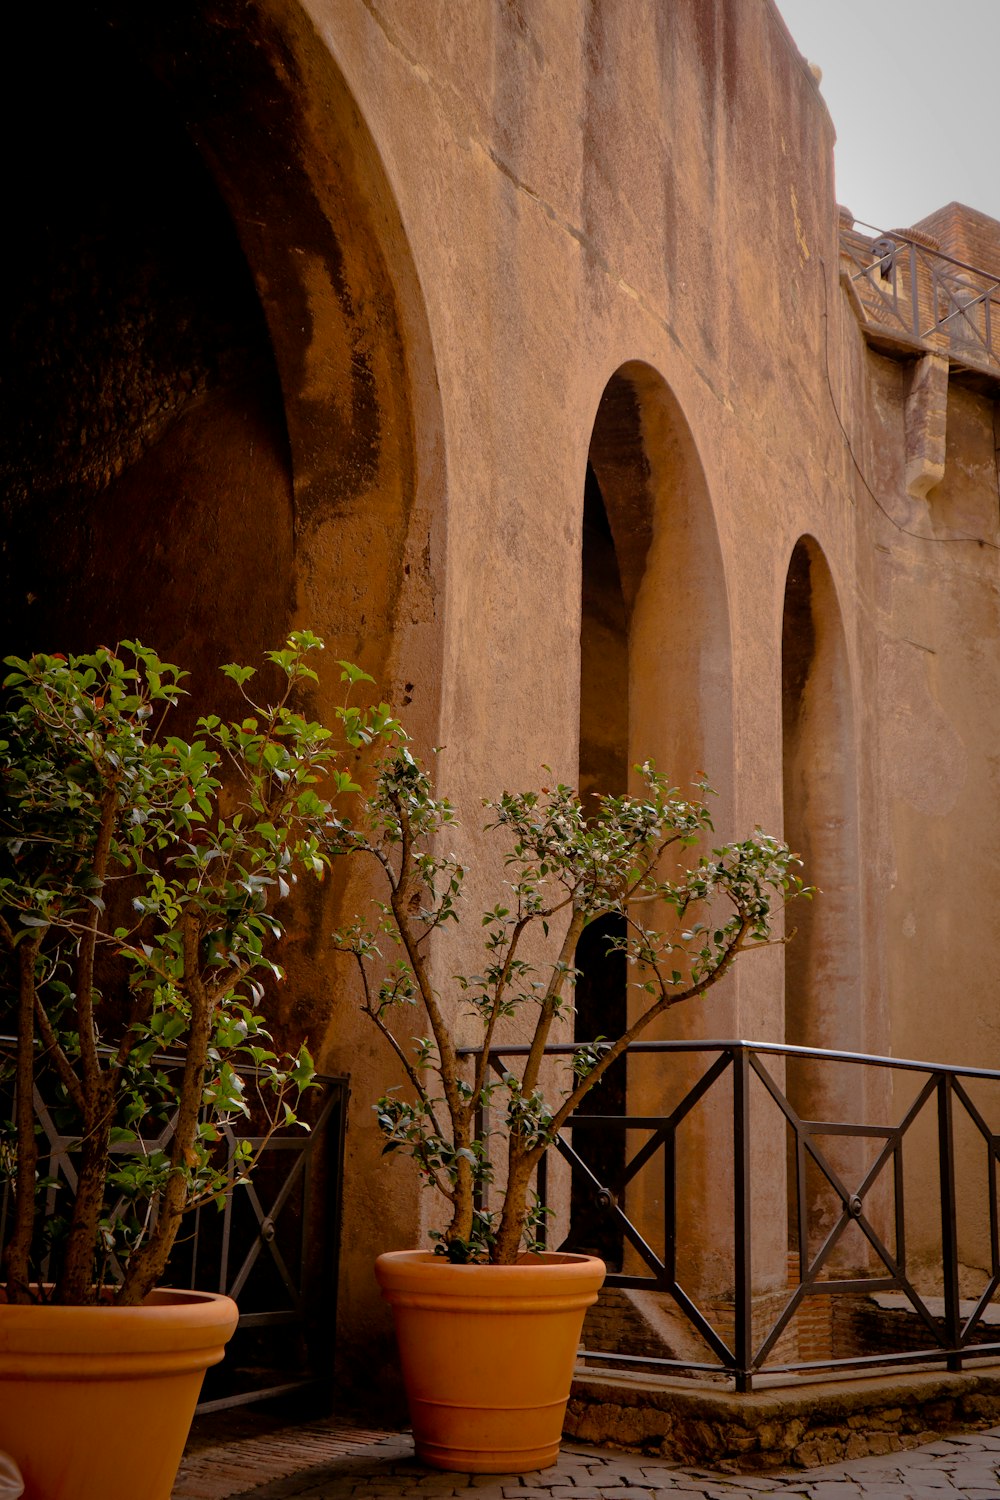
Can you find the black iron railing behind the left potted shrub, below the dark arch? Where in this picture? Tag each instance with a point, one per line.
(272, 1246)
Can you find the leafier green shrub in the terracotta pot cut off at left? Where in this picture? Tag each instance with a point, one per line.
(139, 881)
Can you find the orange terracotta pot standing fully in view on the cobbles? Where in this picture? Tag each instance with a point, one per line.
(488, 1354)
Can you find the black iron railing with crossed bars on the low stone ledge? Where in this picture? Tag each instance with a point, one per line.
(920, 1166)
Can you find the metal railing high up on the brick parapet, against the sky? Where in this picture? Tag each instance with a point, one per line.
(915, 296)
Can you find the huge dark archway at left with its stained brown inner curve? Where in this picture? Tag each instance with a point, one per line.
(221, 406)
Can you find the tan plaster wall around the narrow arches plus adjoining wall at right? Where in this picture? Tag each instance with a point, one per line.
(593, 188)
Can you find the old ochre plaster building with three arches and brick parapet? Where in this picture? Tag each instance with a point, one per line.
(521, 349)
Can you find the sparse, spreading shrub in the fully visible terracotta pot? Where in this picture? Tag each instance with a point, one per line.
(488, 1325)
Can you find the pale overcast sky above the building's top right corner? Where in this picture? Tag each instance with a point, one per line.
(914, 89)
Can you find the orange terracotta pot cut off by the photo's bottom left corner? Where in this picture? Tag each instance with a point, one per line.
(97, 1403)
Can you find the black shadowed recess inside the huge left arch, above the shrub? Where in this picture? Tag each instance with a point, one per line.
(143, 452)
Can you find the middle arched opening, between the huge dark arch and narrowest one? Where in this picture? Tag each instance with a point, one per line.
(656, 683)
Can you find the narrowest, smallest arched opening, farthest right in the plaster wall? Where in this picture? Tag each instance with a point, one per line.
(822, 998)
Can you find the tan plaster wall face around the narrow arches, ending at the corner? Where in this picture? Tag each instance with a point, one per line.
(588, 188)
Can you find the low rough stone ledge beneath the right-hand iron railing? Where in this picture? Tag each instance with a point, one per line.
(803, 1426)
